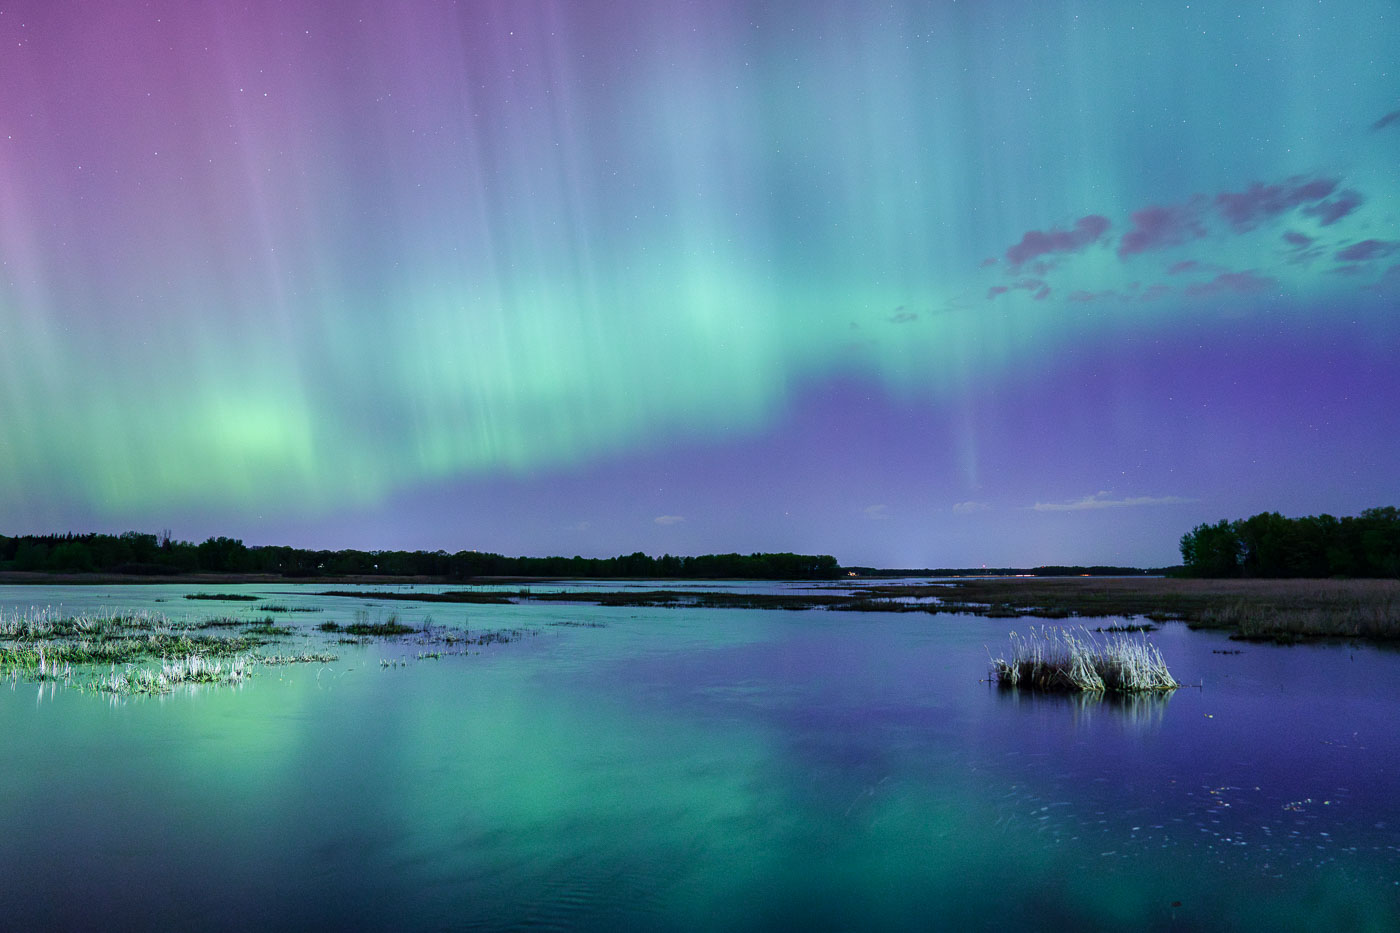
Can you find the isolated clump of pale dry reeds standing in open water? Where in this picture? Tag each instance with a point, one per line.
(1062, 661)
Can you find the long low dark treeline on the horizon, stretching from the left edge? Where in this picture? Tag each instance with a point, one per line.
(150, 555)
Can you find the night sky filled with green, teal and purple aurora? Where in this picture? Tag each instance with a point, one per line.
(911, 284)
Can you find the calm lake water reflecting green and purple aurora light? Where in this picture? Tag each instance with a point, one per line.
(702, 770)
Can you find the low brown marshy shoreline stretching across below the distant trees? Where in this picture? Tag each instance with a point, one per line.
(1284, 611)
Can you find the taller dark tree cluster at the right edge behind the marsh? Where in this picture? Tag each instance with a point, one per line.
(1270, 546)
